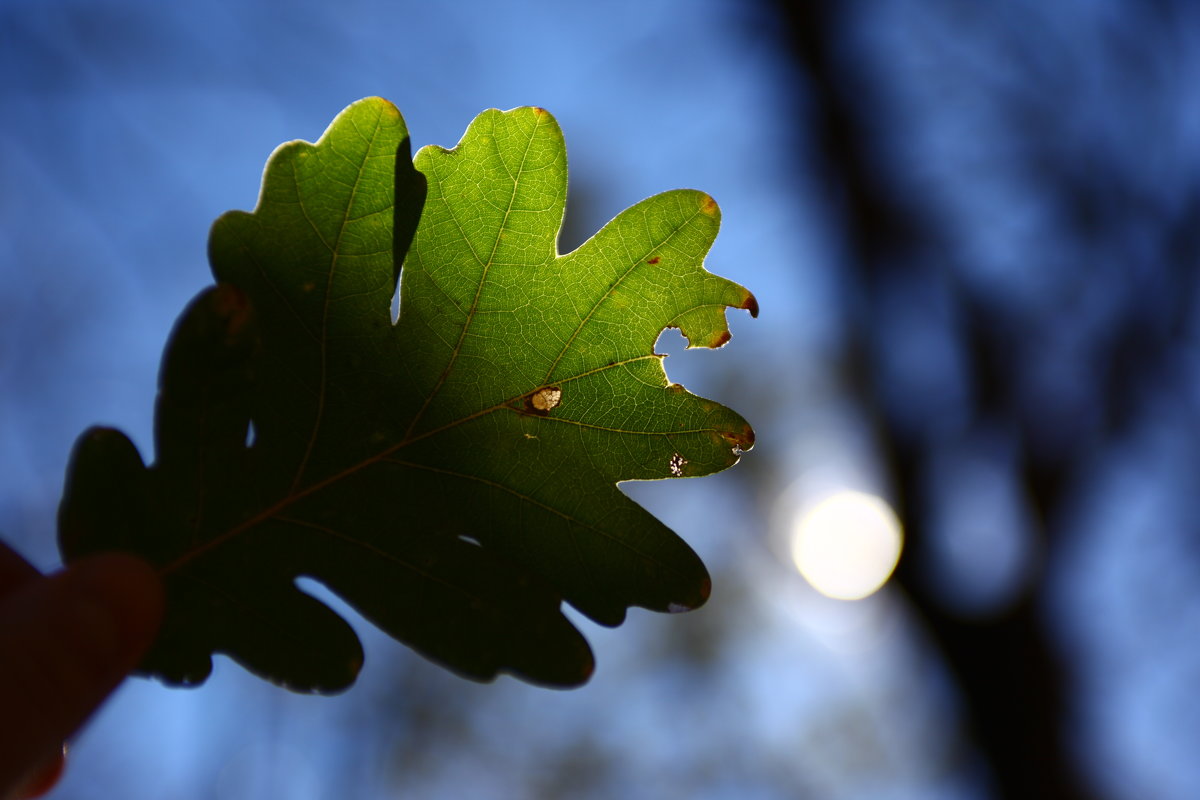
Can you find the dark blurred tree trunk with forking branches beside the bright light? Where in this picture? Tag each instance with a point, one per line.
(1010, 676)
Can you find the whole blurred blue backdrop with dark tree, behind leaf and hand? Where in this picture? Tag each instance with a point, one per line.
(974, 233)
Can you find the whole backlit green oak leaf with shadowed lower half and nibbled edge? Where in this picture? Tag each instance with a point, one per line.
(453, 474)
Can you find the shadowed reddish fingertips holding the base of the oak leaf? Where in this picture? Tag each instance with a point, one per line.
(67, 642)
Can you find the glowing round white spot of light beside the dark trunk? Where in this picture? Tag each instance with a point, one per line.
(848, 545)
